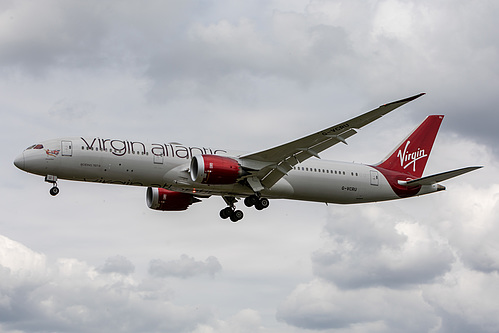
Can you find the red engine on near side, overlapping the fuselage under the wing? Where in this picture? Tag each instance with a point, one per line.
(214, 169)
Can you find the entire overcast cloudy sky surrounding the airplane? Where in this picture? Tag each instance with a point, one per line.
(249, 75)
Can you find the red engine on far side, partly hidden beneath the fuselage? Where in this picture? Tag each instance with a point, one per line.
(163, 199)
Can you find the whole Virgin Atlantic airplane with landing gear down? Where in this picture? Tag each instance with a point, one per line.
(177, 175)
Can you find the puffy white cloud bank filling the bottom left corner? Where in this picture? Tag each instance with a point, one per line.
(70, 295)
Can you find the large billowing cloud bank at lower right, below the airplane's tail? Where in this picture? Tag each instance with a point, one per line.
(438, 261)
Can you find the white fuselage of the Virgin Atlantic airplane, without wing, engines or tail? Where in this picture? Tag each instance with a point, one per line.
(167, 166)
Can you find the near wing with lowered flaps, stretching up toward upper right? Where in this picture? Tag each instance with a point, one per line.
(281, 159)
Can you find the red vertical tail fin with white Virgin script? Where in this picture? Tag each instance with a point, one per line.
(411, 155)
